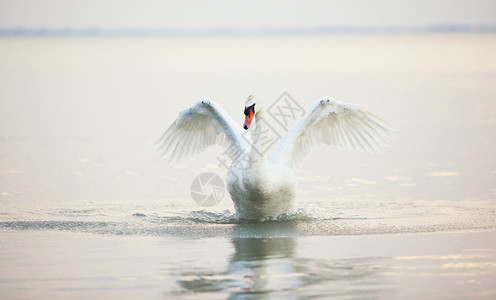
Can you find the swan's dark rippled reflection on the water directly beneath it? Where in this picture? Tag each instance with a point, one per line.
(260, 263)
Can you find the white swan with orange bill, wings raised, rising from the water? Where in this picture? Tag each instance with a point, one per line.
(264, 186)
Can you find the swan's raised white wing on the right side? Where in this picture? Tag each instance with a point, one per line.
(331, 122)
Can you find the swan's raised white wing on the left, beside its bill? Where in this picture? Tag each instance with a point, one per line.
(199, 127)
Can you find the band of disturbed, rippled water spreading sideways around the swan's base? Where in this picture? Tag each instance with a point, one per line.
(166, 218)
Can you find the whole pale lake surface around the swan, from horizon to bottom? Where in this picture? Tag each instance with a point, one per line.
(90, 210)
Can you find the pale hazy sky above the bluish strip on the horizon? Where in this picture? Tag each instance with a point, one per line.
(244, 15)
